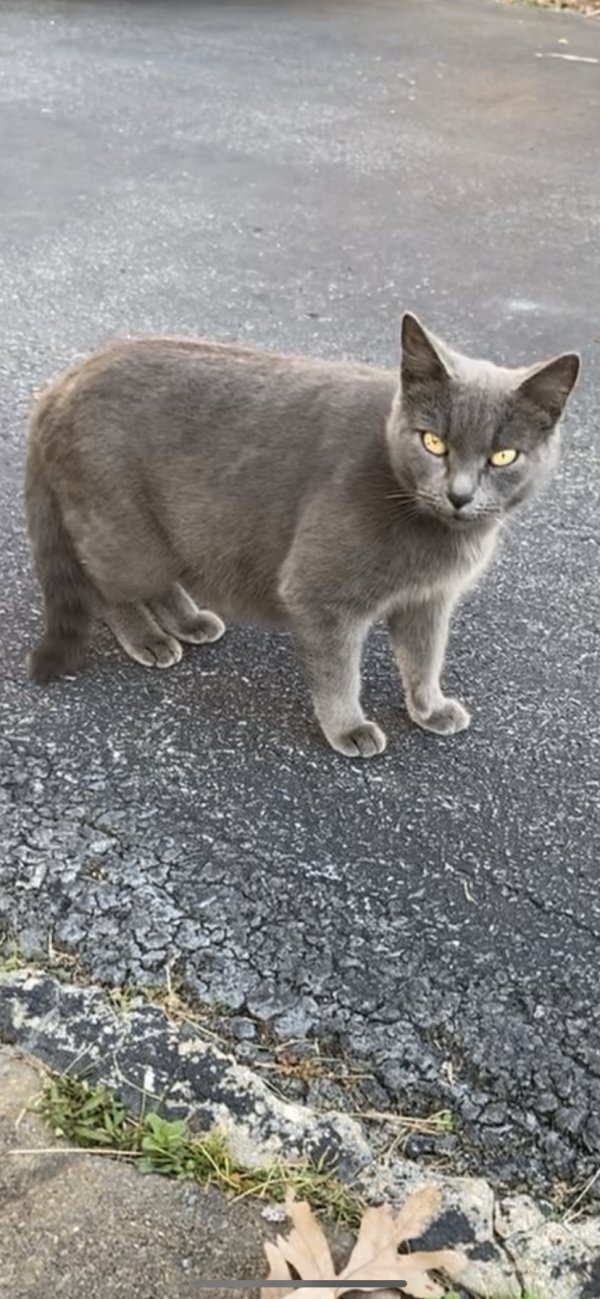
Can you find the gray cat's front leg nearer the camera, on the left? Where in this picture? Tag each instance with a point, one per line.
(331, 648)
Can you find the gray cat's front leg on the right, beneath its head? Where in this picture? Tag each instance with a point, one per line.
(420, 635)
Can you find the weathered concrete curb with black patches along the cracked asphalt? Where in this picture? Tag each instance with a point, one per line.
(512, 1246)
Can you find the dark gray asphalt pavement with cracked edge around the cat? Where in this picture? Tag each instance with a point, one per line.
(295, 176)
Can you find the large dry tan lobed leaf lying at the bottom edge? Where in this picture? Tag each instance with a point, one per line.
(375, 1257)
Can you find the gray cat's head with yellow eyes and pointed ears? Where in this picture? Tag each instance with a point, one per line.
(471, 441)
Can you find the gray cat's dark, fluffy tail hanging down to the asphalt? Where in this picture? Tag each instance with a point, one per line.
(68, 596)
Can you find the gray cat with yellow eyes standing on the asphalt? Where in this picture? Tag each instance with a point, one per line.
(298, 493)
